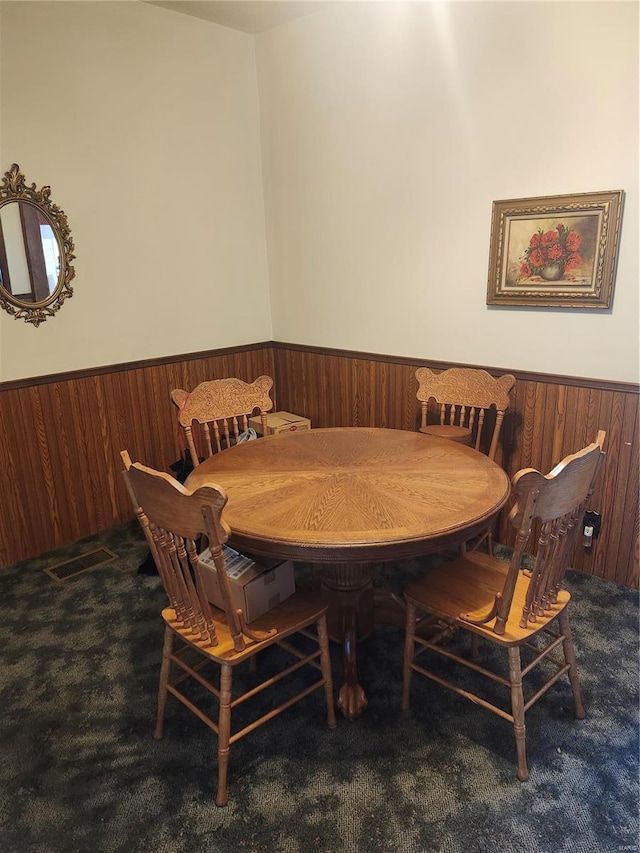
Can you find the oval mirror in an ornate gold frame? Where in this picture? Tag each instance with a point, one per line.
(36, 250)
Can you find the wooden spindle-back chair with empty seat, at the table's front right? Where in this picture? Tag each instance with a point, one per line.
(512, 608)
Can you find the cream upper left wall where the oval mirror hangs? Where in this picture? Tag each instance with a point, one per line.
(145, 124)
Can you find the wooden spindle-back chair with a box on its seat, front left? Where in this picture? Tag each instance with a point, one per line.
(199, 635)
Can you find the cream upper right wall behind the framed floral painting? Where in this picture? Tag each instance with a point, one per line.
(388, 130)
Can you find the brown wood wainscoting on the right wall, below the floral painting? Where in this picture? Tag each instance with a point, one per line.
(549, 417)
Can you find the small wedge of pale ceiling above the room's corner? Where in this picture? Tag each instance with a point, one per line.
(250, 16)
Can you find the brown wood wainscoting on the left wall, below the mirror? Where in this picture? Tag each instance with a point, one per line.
(61, 437)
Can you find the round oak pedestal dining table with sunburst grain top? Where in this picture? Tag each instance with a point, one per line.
(347, 499)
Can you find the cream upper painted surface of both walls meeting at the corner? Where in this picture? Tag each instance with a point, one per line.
(387, 131)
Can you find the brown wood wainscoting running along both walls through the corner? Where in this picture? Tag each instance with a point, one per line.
(61, 436)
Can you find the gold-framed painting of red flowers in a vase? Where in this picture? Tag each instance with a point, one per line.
(555, 251)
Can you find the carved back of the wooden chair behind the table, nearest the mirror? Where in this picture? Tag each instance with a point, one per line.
(222, 407)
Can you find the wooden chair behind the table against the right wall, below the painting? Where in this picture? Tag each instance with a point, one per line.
(465, 399)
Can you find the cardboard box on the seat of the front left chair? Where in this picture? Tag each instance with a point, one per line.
(254, 588)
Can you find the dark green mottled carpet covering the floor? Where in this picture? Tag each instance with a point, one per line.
(80, 770)
